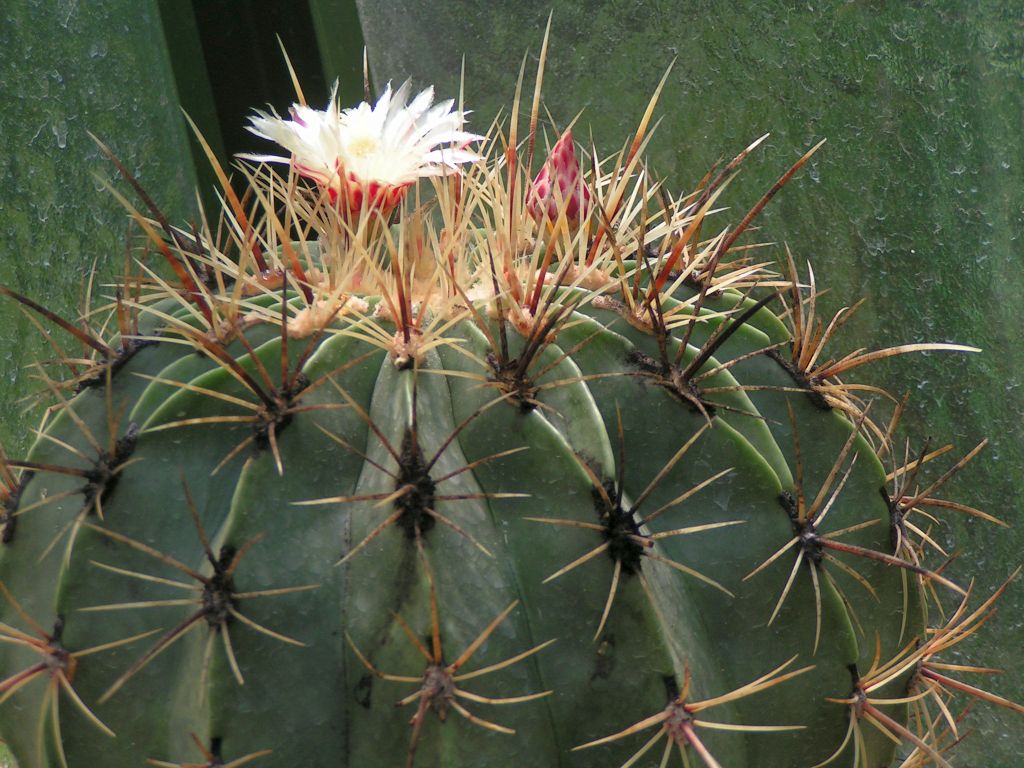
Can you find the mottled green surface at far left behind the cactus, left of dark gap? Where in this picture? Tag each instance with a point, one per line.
(70, 69)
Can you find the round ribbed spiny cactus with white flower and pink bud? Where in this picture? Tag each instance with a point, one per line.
(518, 440)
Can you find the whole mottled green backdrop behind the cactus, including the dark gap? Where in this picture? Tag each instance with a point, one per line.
(916, 202)
